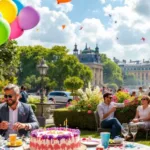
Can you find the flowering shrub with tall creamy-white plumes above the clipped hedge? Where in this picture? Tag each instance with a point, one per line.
(88, 100)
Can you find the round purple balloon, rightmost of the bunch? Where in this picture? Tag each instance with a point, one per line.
(28, 18)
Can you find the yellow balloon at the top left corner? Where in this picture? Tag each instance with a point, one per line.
(8, 9)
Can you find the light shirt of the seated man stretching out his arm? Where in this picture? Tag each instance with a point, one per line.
(104, 108)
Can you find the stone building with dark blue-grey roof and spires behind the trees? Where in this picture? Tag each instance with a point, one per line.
(91, 58)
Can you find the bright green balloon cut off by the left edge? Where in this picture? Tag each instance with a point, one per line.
(4, 30)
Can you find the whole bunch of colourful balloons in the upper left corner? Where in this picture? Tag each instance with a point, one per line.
(15, 18)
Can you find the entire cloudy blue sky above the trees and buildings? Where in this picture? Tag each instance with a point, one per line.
(117, 26)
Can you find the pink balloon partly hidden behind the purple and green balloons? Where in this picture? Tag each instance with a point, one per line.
(16, 31)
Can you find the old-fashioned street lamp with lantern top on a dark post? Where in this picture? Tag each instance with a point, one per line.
(42, 68)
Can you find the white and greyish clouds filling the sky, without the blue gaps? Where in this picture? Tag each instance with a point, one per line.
(132, 24)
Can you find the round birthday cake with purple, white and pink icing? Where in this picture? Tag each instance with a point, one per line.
(55, 139)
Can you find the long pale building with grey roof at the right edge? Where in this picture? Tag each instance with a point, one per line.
(140, 69)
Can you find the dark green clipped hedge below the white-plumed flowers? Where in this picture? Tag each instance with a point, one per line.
(80, 120)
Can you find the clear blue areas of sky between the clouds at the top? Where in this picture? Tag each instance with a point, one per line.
(86, 9)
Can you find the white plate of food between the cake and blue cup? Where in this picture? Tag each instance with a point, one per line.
(90, 142)
